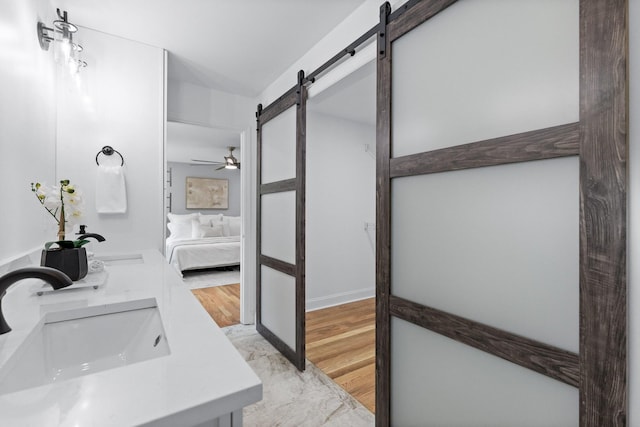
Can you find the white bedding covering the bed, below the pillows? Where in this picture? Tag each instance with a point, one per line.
(191, 254)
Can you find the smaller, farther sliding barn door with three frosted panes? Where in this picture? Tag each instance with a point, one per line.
(280, 308)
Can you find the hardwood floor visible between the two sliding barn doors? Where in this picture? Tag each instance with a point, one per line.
(340, 341)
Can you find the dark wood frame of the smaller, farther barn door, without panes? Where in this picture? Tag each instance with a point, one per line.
(295, 97)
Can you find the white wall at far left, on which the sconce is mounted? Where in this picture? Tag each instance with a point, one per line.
(27, 126)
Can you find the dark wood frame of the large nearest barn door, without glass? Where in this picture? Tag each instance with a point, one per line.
(600, 141)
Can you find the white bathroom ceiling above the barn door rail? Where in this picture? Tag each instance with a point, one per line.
(239, 46)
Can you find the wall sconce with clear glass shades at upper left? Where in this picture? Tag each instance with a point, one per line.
(66, 51)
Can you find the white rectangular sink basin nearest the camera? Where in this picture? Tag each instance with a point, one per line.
(73, 343)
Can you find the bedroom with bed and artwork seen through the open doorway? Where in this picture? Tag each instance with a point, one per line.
(203, 220)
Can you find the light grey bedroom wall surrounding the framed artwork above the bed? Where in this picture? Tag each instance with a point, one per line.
(180, 172)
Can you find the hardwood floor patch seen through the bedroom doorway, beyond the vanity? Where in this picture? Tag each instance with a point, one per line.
(221, 302)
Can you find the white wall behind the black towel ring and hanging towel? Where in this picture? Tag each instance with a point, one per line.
(118, 100)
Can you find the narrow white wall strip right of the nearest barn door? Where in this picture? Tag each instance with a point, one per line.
(633, 213)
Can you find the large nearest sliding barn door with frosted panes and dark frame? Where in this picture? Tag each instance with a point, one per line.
(501, 213)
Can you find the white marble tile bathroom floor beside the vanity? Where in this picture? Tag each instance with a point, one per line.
(292, 398)
